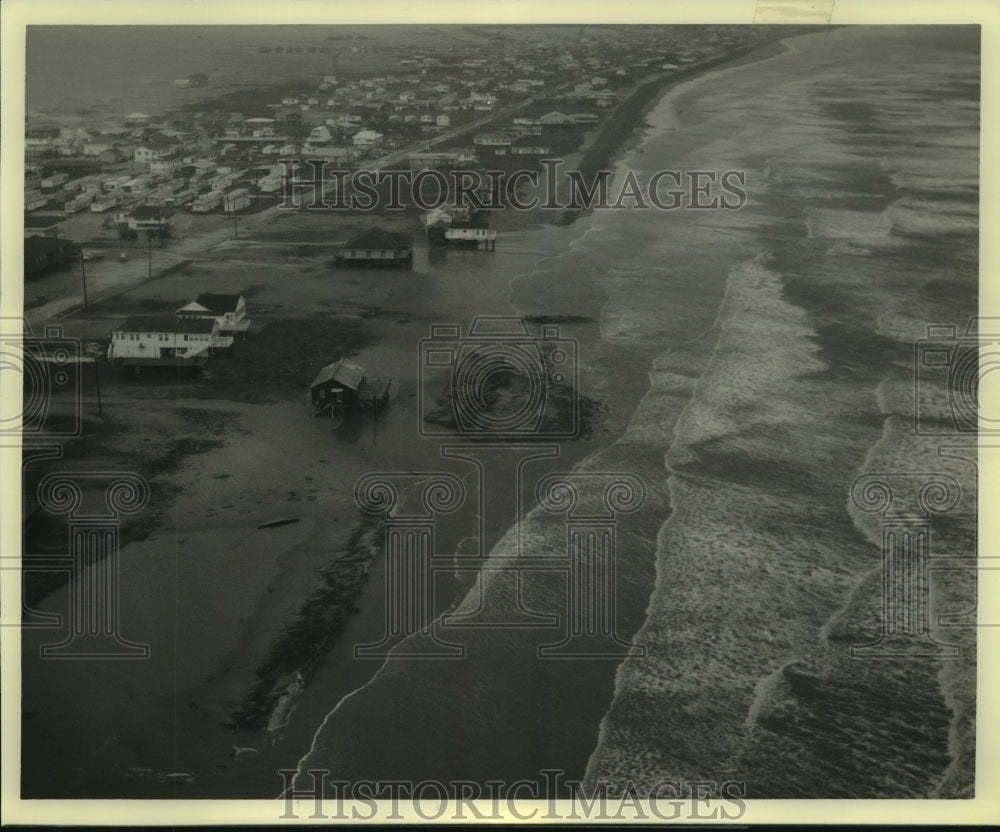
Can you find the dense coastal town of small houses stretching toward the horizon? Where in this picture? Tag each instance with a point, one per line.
(91, 183)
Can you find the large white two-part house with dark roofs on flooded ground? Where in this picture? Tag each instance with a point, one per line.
(190, 336)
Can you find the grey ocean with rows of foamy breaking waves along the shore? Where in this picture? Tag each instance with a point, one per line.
(764, 356)
